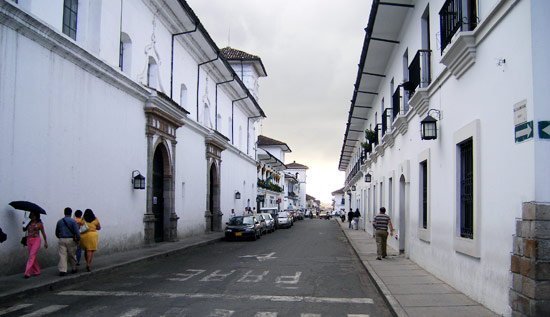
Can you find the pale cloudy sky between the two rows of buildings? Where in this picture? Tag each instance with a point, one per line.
(310, 49)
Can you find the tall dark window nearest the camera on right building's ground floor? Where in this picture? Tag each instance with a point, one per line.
(466, 189)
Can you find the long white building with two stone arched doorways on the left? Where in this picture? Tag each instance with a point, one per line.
(95, 93)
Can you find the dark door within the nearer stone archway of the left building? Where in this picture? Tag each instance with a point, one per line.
(159, 189)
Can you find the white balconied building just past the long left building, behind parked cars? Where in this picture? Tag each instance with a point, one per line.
(271, 175)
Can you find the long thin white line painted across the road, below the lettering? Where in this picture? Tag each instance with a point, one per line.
(306, 299)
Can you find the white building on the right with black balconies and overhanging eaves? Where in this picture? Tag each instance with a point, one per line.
(479, 69)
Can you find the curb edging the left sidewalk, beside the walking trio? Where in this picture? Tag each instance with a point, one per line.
(75, 278)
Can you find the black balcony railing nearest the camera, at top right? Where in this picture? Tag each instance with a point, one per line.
(453, 17)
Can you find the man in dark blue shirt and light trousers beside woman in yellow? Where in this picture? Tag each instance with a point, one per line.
(68, 234)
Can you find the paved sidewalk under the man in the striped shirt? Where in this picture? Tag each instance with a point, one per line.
(409, 289)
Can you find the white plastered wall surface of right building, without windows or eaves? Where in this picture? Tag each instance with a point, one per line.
(486, 94)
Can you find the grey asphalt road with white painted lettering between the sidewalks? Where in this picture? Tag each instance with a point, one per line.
(308, 270)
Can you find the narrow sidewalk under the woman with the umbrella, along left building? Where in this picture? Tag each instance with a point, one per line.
(15, 287)
